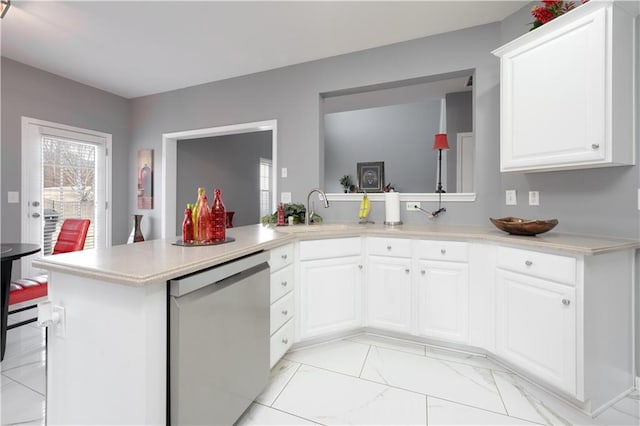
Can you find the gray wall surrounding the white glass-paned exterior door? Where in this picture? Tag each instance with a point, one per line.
(28, 91)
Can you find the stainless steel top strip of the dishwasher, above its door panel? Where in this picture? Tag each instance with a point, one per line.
(190, 283)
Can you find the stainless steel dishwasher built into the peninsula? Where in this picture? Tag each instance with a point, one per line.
(218, 341)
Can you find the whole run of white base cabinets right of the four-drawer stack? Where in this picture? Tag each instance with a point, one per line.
(564, 320)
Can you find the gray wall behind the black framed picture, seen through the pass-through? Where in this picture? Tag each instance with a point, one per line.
(399, 135)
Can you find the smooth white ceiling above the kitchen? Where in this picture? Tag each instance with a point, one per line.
(139, 48)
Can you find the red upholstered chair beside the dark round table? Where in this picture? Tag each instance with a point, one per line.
(24, 292)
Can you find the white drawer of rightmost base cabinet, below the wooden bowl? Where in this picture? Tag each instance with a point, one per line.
(543, 265)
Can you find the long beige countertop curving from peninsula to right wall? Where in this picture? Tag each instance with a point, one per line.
(157, 261)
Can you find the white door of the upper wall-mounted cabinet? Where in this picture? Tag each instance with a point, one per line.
(554, 98)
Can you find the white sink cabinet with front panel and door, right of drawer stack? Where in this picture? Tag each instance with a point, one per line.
(330, 286)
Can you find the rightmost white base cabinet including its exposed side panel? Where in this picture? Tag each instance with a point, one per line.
(565, 320)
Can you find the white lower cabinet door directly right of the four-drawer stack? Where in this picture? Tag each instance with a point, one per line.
(330, 295)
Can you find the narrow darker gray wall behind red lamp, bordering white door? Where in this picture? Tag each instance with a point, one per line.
(459, 120)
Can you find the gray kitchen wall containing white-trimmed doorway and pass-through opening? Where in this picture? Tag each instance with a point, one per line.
(291, 96)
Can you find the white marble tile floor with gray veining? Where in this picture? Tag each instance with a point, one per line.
(361, 380)
